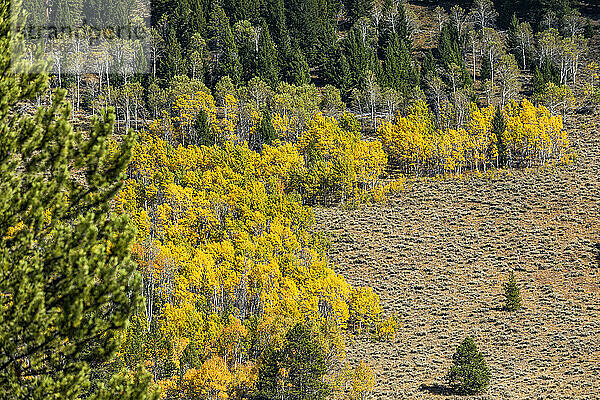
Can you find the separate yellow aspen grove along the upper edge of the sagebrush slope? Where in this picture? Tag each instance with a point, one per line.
(533, 136)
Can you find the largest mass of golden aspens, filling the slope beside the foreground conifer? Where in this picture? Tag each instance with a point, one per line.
(227, 254)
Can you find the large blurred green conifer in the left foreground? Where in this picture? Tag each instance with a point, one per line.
(67, 283)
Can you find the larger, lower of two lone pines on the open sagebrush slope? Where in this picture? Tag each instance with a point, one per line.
(470, 373)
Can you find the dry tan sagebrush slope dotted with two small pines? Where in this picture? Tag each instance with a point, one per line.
(438, 253)
